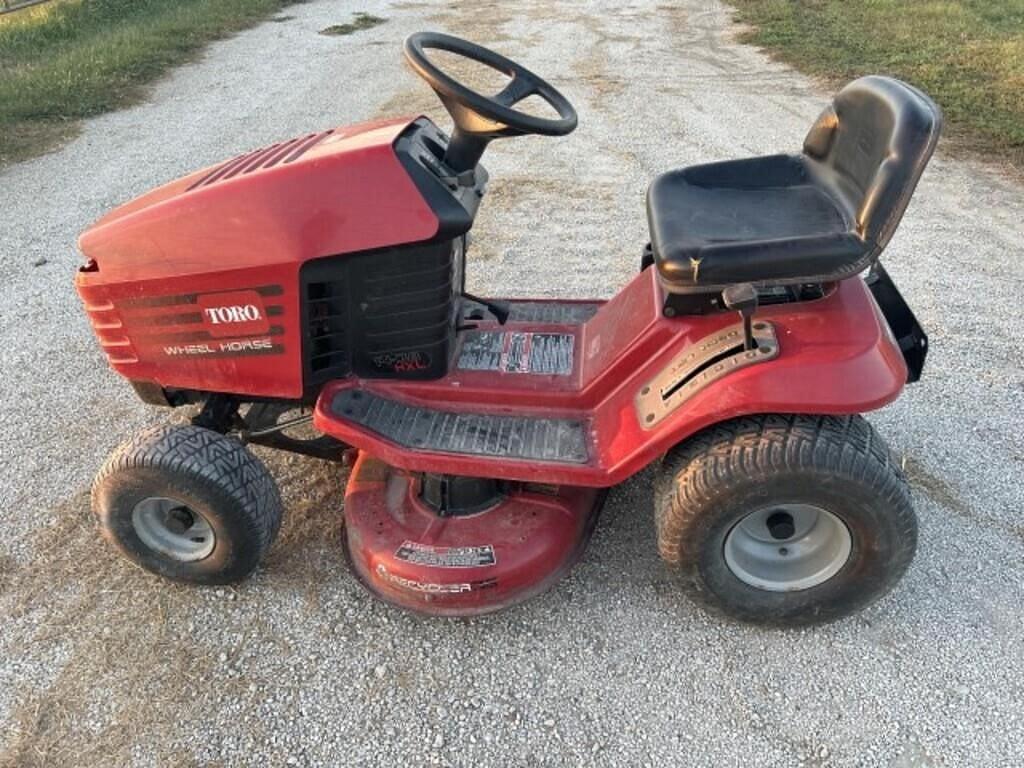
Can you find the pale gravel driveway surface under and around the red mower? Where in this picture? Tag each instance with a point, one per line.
(103, 665)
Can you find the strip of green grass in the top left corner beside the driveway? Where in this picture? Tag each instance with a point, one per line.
(69, 60)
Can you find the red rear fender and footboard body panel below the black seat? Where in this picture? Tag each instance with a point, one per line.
(837, 357)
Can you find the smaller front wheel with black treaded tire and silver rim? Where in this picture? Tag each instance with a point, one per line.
(188, 504)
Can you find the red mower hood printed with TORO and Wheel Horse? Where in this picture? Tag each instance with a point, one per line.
(160, 263)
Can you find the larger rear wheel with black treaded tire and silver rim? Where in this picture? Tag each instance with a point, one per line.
(786, 520)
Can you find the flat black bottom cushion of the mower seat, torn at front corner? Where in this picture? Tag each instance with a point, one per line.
(761, 221)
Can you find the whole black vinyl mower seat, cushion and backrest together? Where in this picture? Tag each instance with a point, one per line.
(822, 216)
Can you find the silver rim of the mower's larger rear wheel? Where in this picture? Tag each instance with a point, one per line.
(788, 547)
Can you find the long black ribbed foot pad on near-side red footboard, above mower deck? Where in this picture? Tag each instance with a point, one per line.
(488, 436)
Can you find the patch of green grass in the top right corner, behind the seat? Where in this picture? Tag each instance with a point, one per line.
(967, 55)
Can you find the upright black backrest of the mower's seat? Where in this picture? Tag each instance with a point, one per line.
(870, 148)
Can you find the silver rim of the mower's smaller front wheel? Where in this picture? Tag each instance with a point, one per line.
(174, 529)
